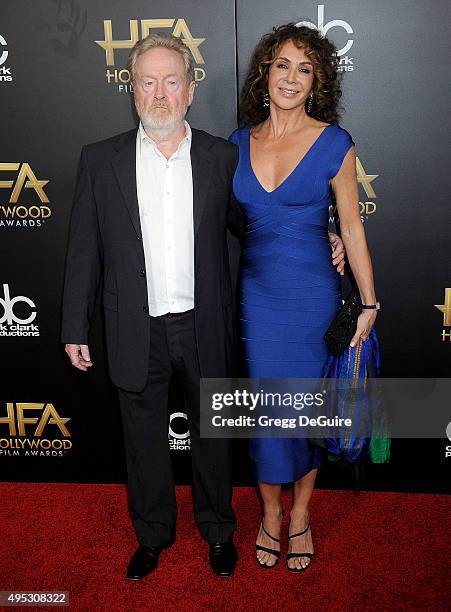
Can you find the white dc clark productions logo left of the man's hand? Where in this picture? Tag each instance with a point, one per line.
(17, 321)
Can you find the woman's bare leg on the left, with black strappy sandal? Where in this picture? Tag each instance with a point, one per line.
(272, 519)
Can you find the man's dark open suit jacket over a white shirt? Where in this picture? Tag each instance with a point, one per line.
(105, 240)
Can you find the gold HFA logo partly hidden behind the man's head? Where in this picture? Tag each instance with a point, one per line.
(177, 27)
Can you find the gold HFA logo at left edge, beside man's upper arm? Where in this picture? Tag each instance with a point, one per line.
(16, 212)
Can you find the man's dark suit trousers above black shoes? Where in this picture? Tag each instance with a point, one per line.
(145, 419)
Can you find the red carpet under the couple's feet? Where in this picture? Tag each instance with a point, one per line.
(373, 551)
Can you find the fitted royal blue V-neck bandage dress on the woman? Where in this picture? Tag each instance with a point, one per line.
(289, 288)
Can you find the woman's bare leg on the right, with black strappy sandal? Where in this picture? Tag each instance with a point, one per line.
(299, 516)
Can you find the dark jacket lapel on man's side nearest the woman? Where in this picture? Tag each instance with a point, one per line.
(201, 164)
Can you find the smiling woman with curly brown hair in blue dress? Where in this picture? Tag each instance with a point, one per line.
(292, 155)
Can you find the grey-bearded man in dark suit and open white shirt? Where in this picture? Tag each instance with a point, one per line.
(151, 211)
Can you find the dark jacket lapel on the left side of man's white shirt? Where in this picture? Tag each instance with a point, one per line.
(124, 166)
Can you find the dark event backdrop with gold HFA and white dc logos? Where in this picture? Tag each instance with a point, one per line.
(63, 83)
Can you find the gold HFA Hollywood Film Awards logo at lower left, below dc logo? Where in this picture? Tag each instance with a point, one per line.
(26, 424)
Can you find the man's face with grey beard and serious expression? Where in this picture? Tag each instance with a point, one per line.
(162, 92)
